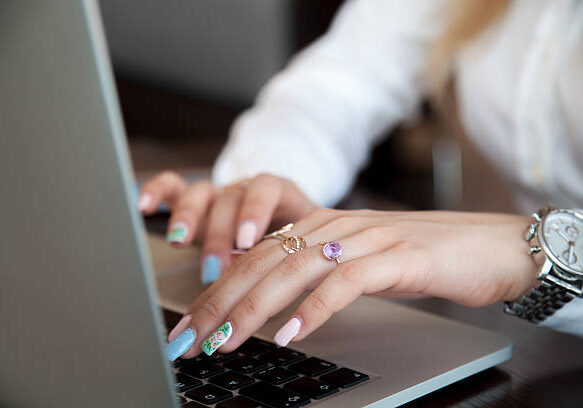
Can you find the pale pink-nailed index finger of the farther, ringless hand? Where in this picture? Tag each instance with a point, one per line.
(259, 202)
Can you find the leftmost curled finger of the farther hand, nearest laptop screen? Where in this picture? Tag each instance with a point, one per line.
(165, 187)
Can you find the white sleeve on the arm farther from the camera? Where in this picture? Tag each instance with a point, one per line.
(316, 121)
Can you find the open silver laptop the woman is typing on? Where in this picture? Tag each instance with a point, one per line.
(79, 305)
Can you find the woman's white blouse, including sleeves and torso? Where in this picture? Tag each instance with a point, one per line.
(518, 83)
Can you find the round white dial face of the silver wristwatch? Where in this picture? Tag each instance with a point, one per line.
(562, 240)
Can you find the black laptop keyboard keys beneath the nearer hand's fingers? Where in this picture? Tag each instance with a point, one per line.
(260, 374)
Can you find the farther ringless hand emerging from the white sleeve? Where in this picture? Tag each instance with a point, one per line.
(237, 215)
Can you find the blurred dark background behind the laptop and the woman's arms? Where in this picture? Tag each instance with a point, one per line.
(186, 69)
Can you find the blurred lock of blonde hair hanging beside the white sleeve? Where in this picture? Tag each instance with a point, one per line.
(468, 19)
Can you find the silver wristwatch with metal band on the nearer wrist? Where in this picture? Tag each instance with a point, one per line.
(558, 235)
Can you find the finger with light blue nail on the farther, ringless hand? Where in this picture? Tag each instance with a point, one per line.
(220, 235)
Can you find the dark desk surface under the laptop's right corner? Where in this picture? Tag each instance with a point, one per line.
(546, 370)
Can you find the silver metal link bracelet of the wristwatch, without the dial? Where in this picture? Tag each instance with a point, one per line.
(552, 294)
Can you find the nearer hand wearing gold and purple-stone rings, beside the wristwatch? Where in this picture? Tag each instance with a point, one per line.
(472, 259)
